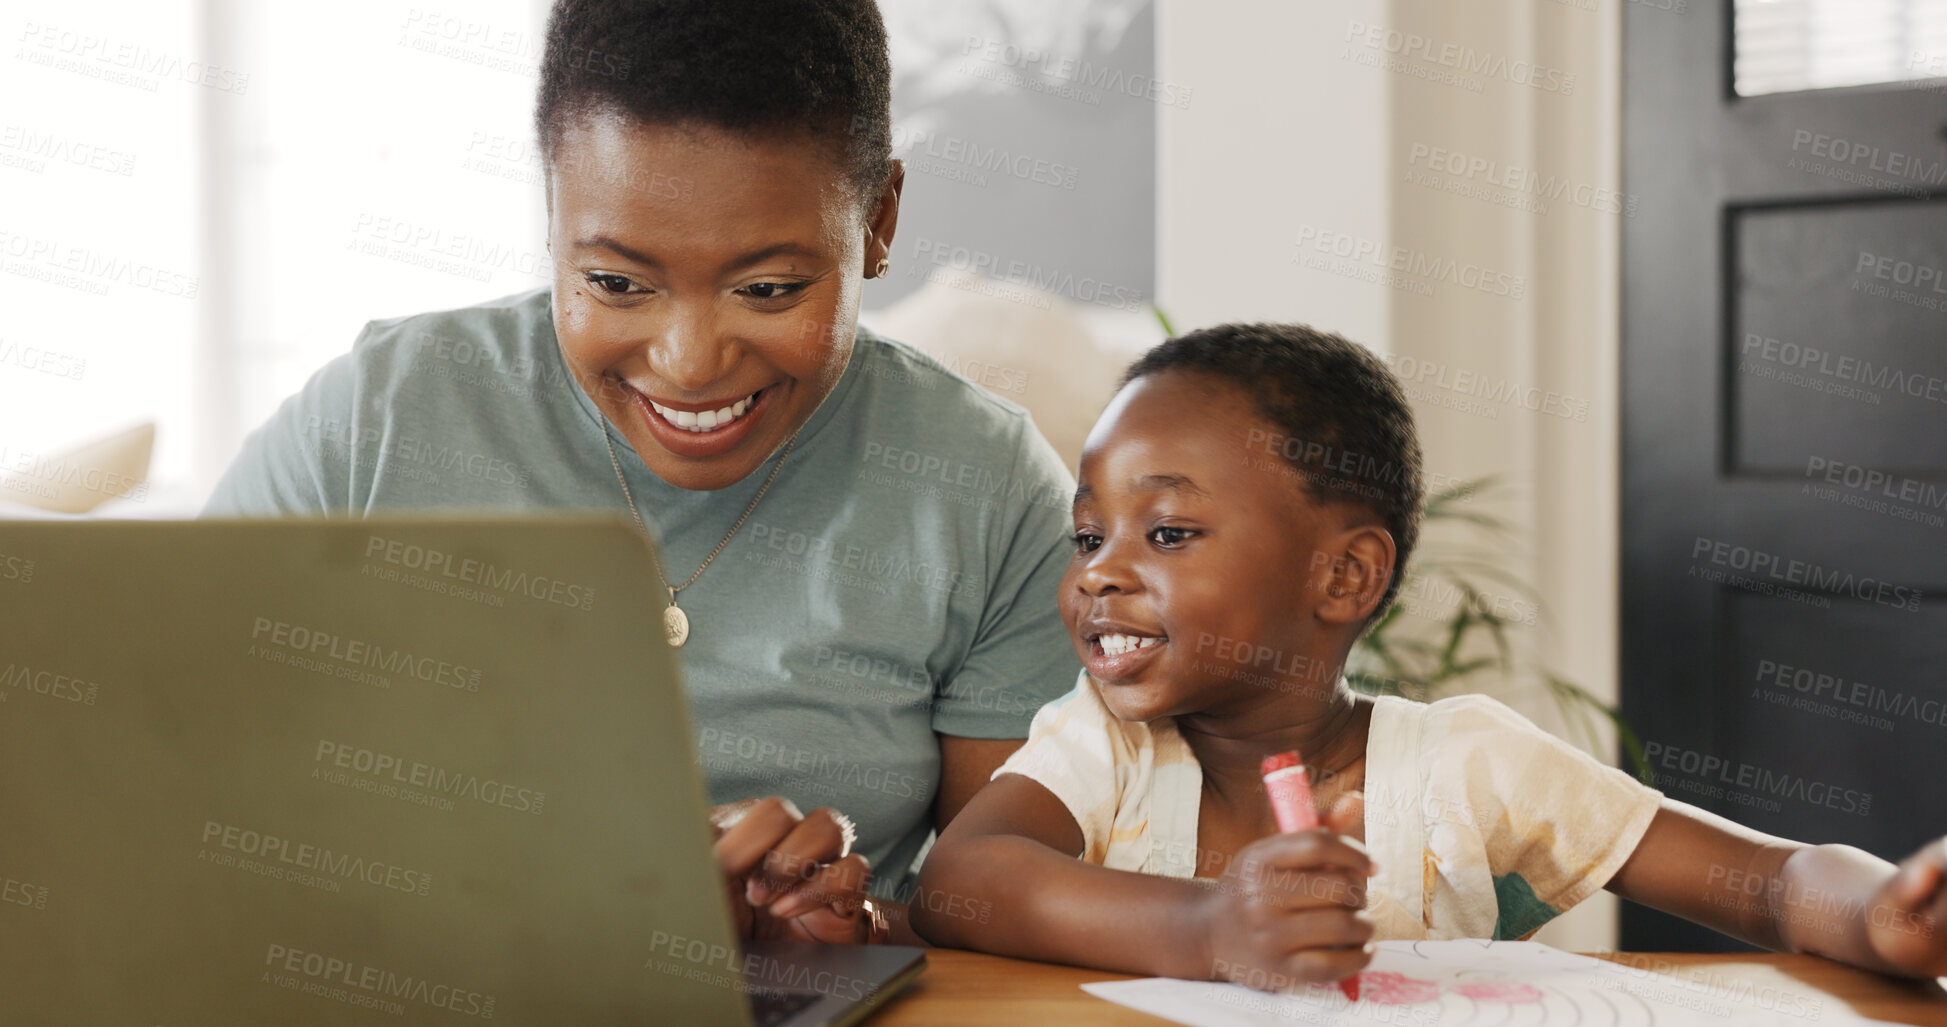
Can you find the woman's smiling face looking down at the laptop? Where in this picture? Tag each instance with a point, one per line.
(708, 285)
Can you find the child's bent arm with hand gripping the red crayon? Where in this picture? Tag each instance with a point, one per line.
(1006, 880)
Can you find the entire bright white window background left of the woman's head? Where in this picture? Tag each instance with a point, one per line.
(202, 202)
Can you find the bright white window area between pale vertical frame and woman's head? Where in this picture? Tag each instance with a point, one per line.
(381, 165)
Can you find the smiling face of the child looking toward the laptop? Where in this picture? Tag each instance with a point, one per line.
(1202, 547)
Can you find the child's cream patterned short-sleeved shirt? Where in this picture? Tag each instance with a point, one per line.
(1483, 825)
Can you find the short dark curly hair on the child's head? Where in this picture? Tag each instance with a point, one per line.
(1341, 416)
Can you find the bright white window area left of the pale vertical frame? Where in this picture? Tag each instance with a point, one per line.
(98, 248)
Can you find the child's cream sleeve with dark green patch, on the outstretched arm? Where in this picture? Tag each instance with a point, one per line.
(1557, 821)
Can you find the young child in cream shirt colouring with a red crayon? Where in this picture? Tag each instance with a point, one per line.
(1247, 508)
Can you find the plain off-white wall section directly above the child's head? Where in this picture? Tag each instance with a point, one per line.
(1282, 141)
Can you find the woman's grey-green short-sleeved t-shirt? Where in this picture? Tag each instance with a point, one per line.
(897, 582)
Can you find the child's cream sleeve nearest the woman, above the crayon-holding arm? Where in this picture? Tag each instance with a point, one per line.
(1072, 751)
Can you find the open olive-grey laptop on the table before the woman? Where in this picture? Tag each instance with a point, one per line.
(365, 773)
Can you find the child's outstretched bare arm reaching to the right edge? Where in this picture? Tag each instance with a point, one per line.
(1833, 901)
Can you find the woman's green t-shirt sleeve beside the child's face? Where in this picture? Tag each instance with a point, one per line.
(1021, 654)
